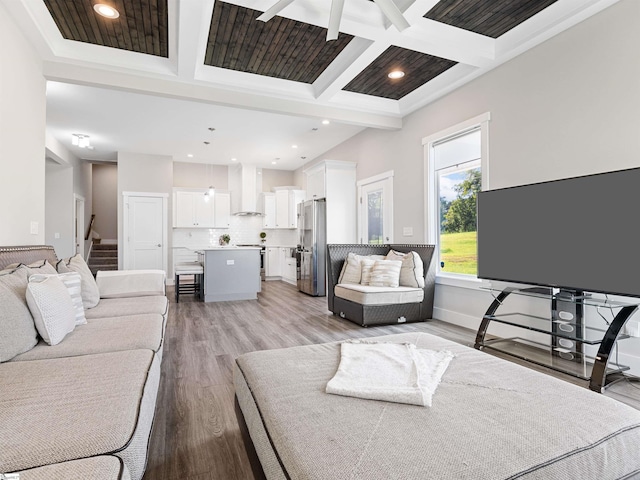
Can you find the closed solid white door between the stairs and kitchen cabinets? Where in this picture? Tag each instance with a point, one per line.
(145, 236)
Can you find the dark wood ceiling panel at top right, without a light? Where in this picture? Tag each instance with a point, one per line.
(486, 17)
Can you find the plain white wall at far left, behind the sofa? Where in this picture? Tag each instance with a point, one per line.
(22, 137)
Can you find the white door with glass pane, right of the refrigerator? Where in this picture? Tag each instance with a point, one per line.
(375, 212)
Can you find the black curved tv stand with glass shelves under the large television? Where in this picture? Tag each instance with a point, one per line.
(568, 334)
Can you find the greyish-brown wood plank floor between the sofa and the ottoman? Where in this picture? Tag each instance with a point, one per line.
(196, 434)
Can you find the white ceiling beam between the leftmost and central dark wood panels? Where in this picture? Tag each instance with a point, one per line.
(192, 22)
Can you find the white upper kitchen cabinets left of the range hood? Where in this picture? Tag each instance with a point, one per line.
(192, 209)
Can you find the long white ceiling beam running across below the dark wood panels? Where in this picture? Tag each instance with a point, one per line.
(172, 88)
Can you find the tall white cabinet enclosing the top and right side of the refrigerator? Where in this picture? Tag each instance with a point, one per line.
(335, 181)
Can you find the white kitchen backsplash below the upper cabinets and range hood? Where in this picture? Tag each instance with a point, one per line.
(242, 230)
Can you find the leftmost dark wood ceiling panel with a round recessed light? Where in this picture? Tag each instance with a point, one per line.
(141, 26)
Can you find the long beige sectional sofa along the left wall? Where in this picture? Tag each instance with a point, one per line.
(82, 408)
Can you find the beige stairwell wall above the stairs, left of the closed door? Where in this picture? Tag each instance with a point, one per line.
(105, 200)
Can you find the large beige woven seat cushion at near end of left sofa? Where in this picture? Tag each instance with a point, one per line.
(68, 408)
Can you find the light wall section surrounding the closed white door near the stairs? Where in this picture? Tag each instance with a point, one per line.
(144, 173)
